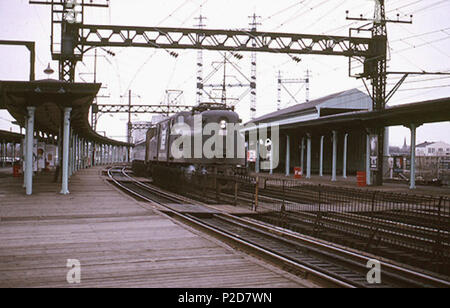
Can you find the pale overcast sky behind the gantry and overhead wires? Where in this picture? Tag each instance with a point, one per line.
(423, 45)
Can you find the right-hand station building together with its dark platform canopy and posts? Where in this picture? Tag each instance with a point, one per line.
(334, 135)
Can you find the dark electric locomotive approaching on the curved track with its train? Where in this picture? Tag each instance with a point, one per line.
(156, 157)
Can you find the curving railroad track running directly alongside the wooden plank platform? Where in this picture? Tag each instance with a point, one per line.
(329, 264)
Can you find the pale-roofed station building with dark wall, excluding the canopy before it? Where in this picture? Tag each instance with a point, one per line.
(311, 149)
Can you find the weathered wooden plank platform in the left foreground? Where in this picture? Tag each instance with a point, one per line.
(119, 242)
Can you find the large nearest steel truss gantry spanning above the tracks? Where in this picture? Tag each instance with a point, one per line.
(77, 38)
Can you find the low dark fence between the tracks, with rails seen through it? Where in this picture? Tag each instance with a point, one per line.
(414, 227)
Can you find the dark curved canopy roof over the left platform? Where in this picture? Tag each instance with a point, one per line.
(50, 97)
